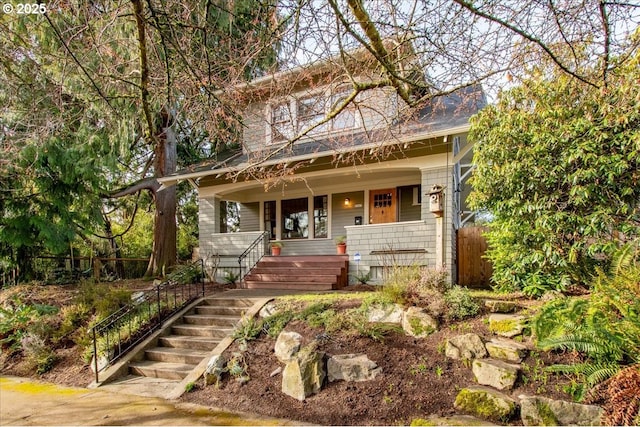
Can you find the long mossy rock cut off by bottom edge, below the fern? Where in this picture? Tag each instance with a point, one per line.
(541, 411)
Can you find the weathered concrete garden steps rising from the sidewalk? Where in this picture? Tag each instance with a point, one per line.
(190, 339)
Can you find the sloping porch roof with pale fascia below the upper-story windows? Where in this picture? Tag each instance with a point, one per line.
(442, 116)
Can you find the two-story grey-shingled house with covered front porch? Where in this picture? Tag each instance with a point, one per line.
(366, 173)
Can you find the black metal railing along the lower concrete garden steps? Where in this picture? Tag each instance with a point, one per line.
(114, 336)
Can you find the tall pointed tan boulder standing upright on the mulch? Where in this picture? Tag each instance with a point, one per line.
(304, 374)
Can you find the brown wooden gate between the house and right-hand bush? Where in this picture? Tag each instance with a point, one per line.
(474, 271)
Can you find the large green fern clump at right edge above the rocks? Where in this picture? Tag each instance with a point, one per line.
(605, 327)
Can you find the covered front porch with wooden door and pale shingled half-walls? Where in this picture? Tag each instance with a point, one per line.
(383, 210)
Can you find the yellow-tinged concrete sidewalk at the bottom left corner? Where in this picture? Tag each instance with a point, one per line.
(27, 402)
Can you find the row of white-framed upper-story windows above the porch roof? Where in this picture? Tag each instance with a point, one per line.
(297, 115)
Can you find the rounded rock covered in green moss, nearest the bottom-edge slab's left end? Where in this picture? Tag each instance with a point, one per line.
(485, 403)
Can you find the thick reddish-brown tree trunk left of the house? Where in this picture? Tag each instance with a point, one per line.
(164, 254)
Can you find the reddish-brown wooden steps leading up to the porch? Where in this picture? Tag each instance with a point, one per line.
(310, 272)
